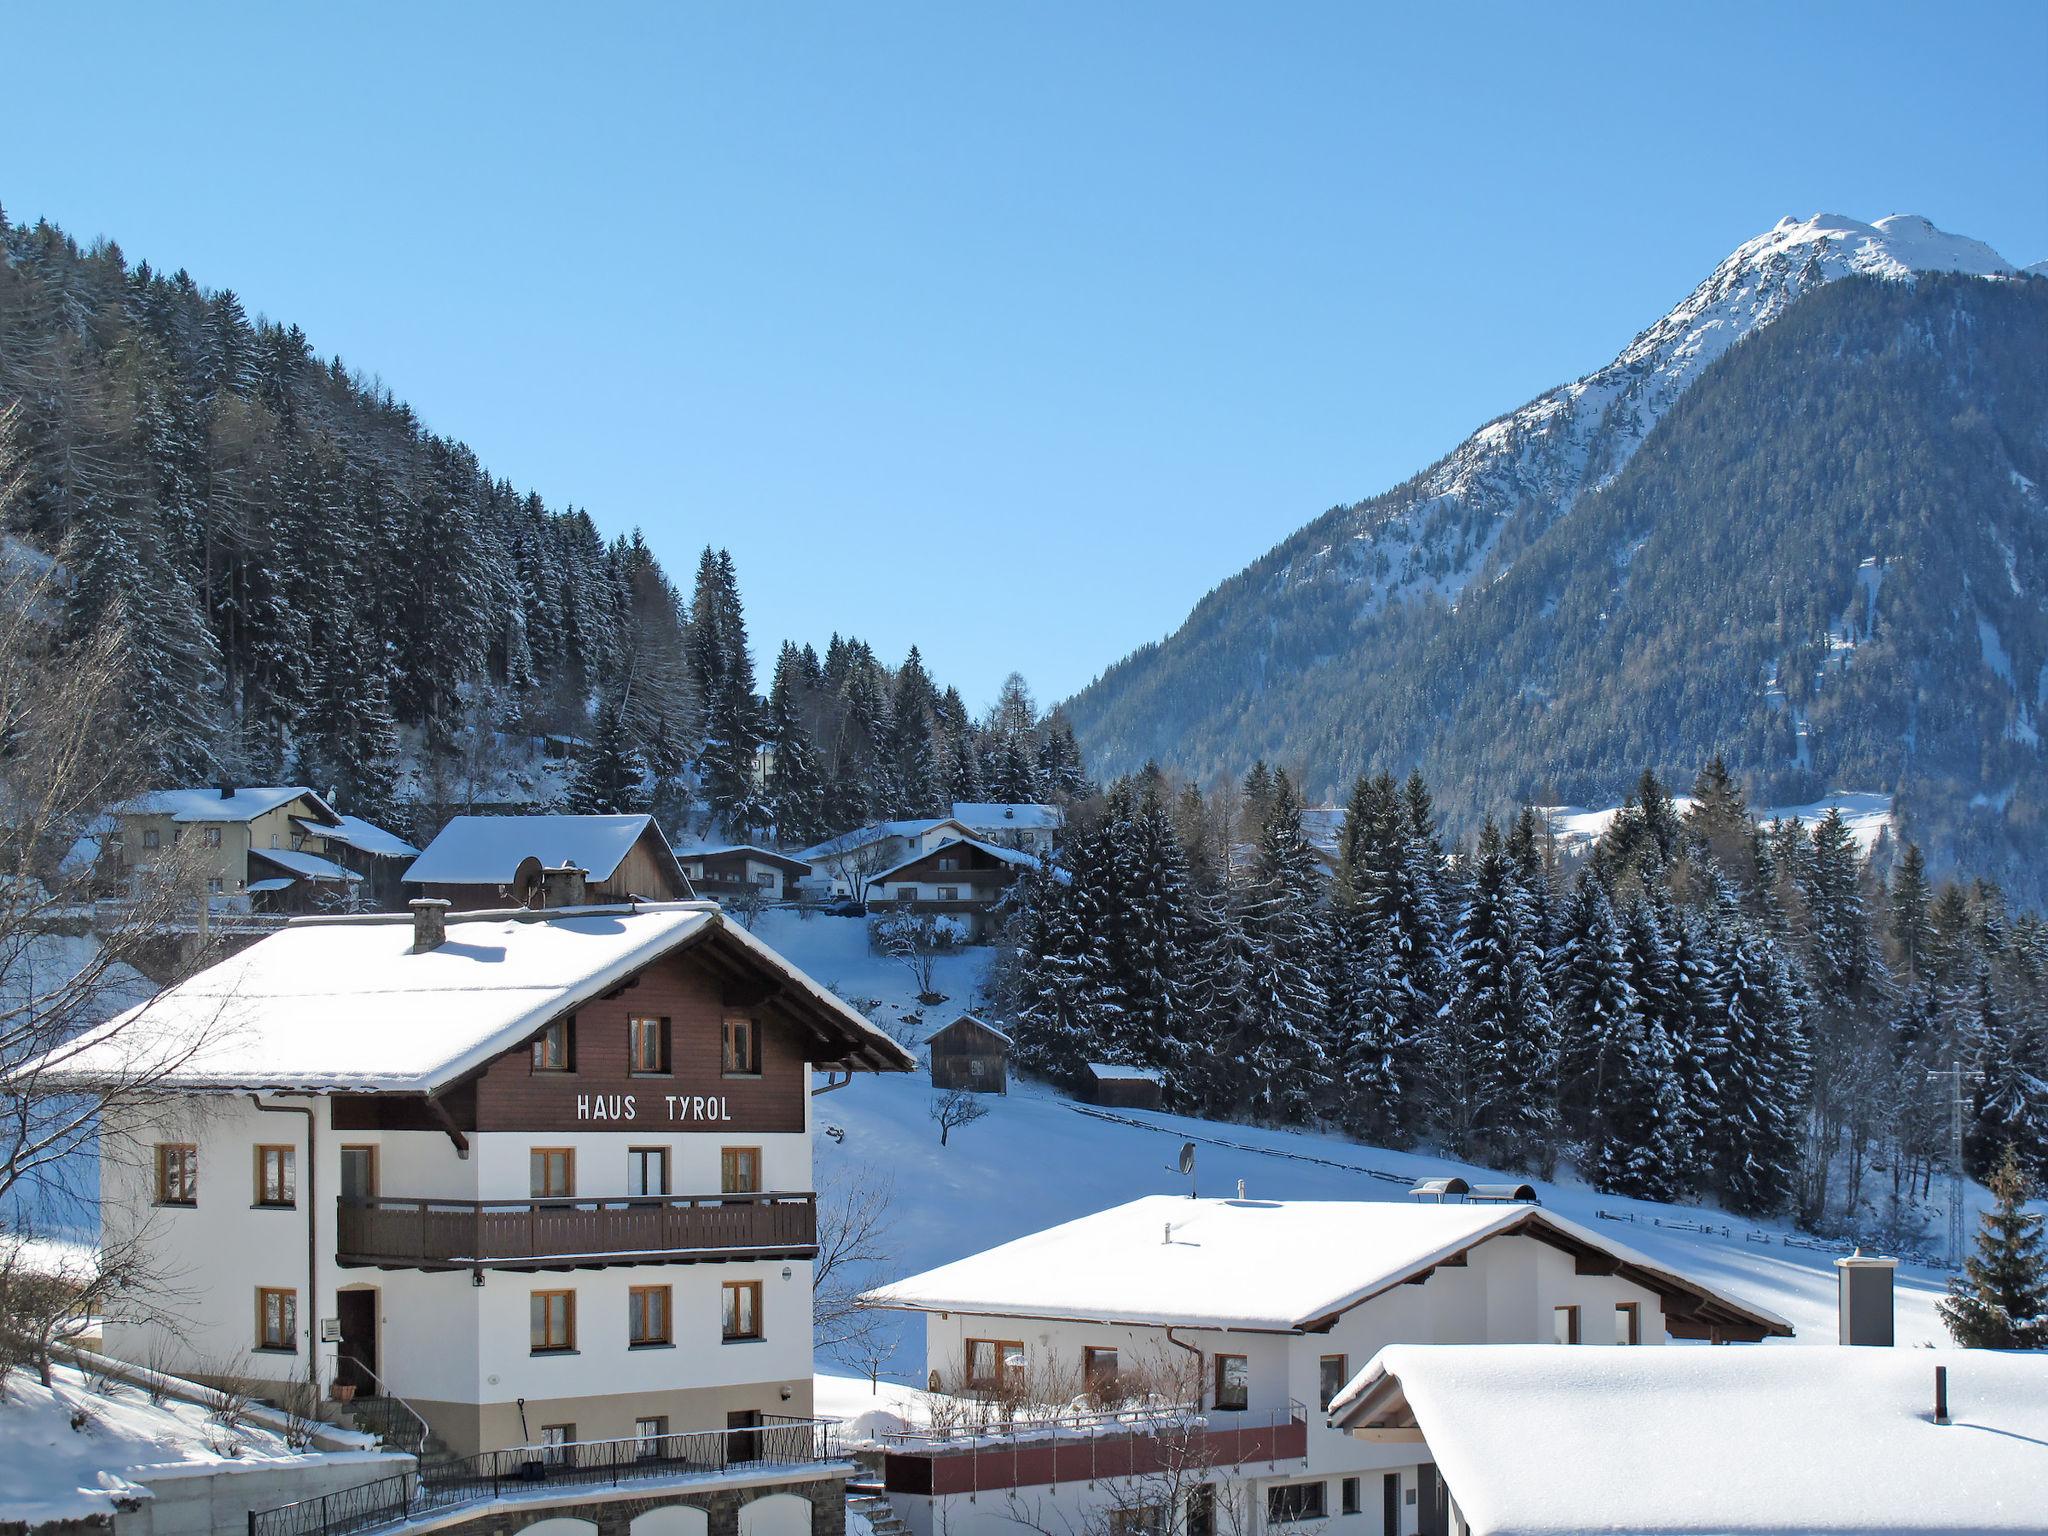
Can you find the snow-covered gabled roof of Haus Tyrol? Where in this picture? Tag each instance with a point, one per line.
(347, 1005)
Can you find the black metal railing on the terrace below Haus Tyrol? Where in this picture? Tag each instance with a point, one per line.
(525, 1469)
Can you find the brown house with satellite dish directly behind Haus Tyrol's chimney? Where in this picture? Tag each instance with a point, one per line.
(497, 861)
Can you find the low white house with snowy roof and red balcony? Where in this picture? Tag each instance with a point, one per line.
(1256, 1314)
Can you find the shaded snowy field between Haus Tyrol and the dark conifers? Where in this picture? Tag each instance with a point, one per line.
(1037, 1160)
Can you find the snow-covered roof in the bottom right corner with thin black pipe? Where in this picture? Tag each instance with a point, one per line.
(1543, 1439)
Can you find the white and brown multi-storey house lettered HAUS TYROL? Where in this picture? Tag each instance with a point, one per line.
(540, 1177)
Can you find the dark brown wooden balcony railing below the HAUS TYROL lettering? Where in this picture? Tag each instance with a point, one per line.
(542, 1234)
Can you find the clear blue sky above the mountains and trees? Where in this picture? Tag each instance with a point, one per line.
(1007, 331)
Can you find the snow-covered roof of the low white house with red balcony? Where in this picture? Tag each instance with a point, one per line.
(1218, 1271)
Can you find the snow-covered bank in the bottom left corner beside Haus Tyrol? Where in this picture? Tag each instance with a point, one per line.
(56, 1471)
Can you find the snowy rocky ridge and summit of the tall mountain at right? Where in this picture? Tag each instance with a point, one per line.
(1439, 534)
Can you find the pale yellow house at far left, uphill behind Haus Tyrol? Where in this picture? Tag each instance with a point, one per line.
(259, 847)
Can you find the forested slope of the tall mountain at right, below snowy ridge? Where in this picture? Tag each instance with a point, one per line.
(1828, 562)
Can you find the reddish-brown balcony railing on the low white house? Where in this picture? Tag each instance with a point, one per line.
(1084, 1449)
